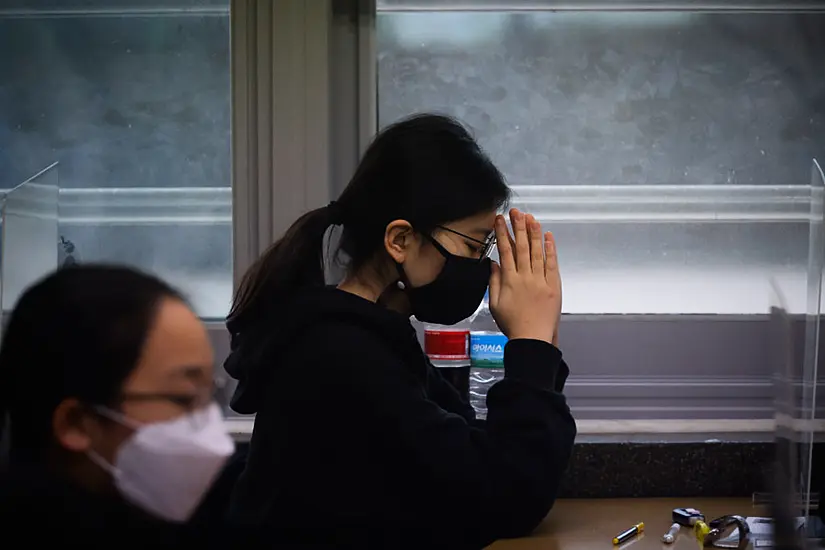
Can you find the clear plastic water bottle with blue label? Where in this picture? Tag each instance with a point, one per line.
(486, 356)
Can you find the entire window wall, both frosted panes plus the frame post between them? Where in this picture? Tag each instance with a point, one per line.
(670, 151)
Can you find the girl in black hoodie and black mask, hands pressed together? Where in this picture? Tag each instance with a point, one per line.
(358, 437)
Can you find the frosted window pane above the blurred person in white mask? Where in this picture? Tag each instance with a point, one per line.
(132, 98)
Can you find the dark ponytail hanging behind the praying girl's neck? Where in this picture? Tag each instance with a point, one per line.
(295, 260)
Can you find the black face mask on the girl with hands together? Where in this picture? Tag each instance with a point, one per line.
(455, 294)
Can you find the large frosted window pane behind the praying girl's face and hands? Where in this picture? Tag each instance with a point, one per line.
(669, 151)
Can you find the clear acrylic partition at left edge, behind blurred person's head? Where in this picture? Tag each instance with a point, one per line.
(29, 235)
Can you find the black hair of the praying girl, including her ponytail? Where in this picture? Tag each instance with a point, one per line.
(426, 169)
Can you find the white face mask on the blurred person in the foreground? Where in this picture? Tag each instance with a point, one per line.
(166, 468)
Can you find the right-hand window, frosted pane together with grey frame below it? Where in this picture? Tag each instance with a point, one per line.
(669, 146)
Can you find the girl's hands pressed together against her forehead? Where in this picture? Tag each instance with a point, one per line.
(525, 290)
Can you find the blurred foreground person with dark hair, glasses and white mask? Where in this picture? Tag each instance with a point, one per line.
(106, 398)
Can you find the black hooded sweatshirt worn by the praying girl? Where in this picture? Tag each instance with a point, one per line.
(359, 438)
